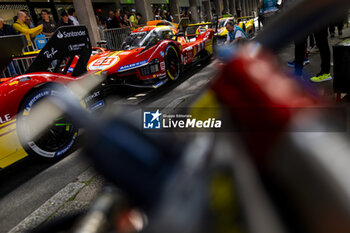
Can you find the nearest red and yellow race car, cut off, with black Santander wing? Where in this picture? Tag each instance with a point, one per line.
(19, 94)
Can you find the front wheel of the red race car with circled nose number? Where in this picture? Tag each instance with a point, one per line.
(172, 62)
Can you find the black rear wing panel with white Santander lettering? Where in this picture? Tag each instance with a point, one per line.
(65, 45)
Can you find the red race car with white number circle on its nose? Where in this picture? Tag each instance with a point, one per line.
(151, 55)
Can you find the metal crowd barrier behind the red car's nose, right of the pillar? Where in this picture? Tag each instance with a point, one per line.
(115, 37)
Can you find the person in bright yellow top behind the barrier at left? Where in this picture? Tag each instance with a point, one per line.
(21, 27)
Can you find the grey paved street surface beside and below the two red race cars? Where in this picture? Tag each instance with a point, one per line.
(33, 192)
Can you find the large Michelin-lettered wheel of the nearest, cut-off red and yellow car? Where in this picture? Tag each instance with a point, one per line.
(58, 137)
